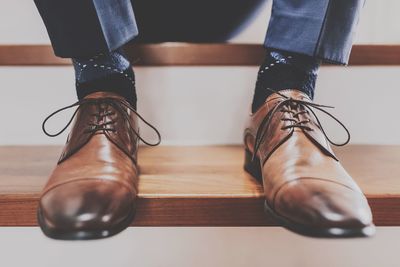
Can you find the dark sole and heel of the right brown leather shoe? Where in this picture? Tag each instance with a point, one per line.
(254, 169)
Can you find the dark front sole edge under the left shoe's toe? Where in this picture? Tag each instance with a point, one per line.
(62, 234)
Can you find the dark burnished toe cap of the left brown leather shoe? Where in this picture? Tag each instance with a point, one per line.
(86, 205)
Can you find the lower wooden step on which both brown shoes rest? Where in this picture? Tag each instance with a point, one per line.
(196, 186)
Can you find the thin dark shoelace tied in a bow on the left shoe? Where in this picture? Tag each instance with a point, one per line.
(103, 126)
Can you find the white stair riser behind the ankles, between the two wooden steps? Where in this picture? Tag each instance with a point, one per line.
(201, 105)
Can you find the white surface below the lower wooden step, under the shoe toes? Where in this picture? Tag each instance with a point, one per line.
(199, 247)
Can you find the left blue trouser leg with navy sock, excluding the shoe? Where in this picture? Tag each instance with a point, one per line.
(92, 33)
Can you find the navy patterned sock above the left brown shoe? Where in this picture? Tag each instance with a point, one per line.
(106, 72)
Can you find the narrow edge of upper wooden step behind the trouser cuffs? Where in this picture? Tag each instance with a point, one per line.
(185, 54)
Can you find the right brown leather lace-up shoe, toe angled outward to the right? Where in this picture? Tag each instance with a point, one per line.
(307, 190)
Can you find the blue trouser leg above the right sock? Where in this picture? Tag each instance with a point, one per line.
(320, 28)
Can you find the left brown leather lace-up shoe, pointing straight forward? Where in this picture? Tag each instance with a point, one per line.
(92, 191)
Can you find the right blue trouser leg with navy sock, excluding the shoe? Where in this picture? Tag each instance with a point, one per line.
(301, 35)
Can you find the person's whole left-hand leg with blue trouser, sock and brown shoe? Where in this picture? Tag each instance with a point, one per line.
(92, 191)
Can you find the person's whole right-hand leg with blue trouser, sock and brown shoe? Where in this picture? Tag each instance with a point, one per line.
(306, 188)
